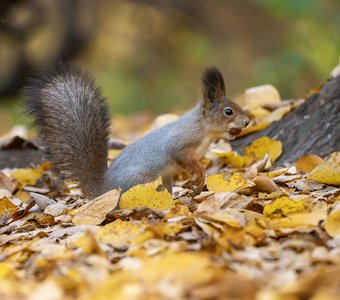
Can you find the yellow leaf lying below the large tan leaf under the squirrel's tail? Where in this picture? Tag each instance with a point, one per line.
(123, 233)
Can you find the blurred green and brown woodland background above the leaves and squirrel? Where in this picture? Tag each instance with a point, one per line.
(148, 55)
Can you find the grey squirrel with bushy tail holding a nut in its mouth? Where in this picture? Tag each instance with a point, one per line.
(74, 127)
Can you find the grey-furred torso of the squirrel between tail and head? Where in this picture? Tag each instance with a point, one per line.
(155, 154)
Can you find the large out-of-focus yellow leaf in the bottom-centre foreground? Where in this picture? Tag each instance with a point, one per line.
(168, 276)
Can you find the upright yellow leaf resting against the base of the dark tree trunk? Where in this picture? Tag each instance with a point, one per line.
(262, 146)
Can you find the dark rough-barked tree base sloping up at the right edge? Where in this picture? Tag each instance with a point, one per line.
(313, 128)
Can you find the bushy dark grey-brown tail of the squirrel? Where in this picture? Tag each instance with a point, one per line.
(74, 124)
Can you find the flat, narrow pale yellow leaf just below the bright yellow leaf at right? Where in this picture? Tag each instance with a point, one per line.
(298, 220)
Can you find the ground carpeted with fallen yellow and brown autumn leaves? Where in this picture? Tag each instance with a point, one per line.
(257, 231)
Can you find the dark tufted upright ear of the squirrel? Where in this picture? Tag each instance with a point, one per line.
(212, 84)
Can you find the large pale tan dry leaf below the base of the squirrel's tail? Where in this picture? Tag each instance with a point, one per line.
(94, 212)
